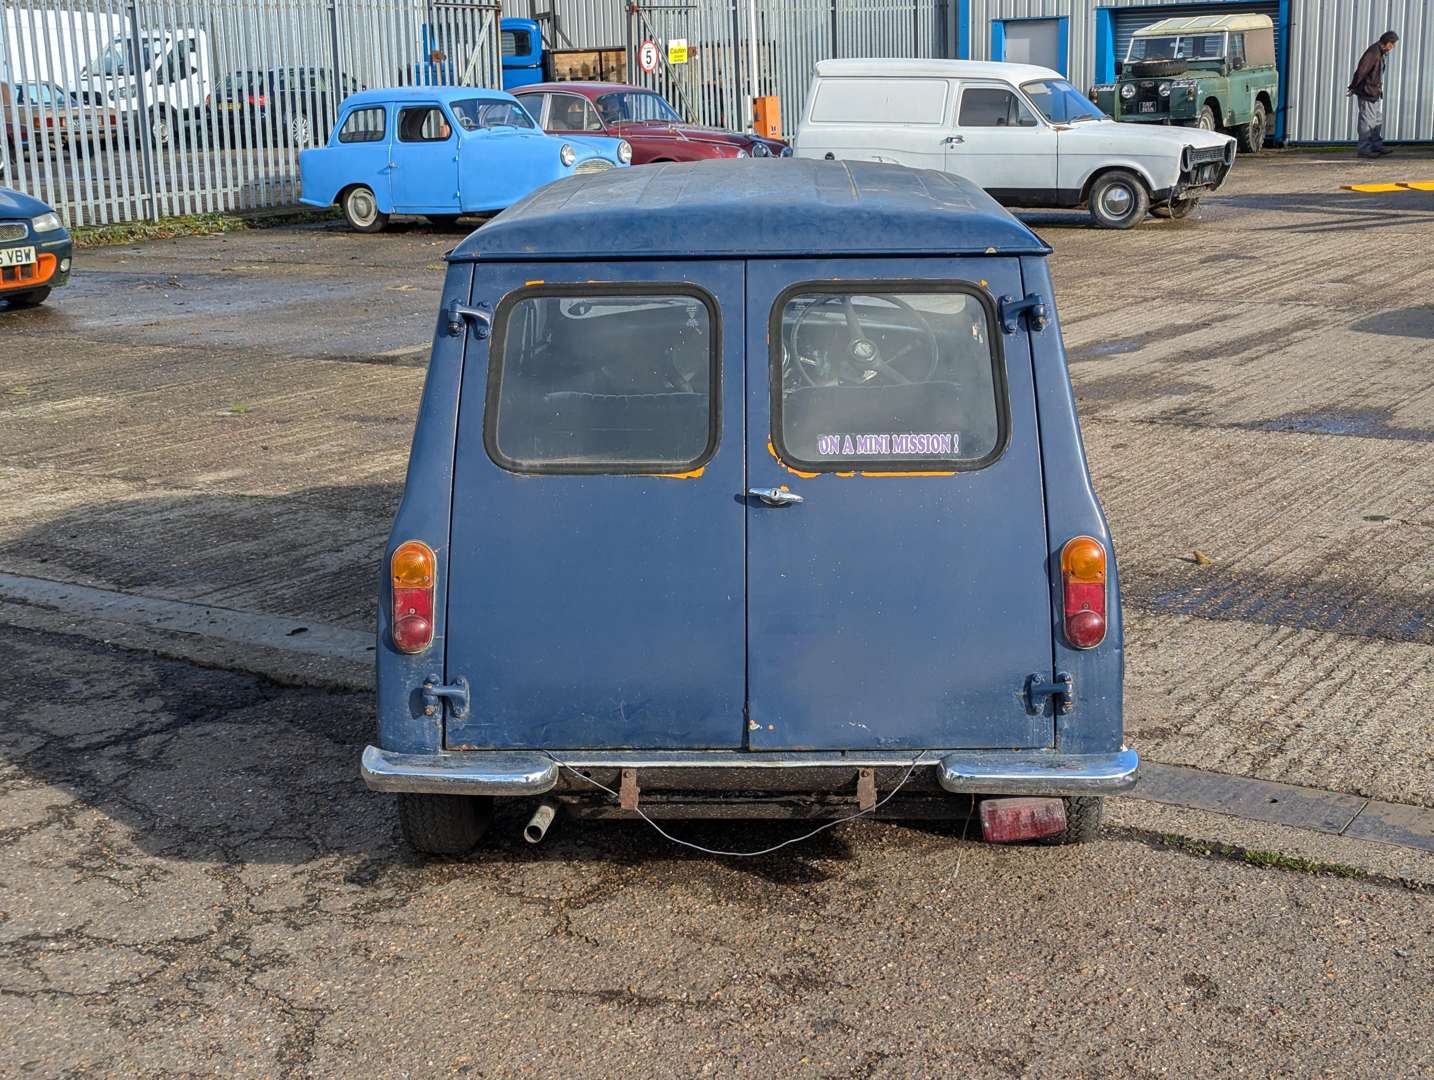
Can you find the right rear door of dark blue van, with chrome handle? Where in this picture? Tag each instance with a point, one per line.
(898, 593)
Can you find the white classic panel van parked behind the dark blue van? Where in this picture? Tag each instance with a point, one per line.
(1022, 133)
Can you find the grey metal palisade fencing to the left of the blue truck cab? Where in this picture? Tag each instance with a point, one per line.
(123, 110)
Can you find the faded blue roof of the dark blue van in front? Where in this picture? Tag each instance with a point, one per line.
(736, 209)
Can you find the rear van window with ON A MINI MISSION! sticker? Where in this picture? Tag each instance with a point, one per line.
(906, 381)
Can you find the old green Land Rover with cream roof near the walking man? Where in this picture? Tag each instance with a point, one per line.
(1215, 72)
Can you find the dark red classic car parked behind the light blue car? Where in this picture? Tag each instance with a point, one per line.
(640, 117)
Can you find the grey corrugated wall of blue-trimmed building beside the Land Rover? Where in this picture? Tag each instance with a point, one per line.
(1326, 41)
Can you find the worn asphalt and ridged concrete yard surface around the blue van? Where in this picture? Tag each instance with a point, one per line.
(194, 881)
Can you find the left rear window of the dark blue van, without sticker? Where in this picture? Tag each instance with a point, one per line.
(604, 381)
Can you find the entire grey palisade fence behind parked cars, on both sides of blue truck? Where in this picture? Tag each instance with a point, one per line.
(130, 110)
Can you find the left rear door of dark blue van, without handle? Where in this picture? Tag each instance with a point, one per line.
(597, 546)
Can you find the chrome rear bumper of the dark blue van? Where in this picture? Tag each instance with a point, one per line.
(530, 772)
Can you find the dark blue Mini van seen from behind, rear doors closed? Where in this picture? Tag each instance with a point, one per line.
(758, 490)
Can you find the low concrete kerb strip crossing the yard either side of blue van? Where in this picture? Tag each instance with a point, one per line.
(306, 653)
